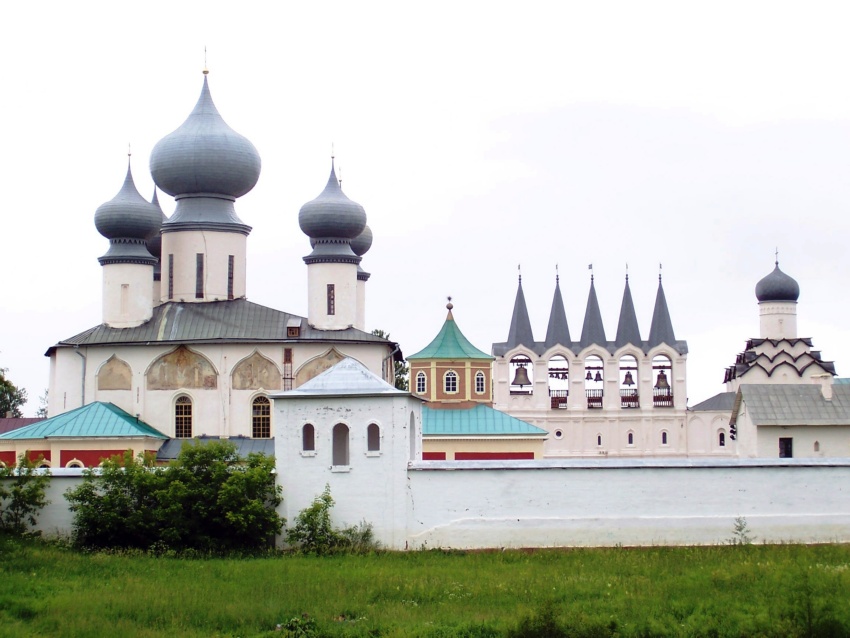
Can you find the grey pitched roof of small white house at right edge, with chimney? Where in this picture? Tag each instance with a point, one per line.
(794, 404)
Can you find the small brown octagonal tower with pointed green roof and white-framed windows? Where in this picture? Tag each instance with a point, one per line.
(450, 370)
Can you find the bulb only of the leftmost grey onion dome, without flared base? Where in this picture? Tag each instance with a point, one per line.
(128, 215)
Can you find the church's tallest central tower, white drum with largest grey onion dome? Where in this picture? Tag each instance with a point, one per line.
(206, 166)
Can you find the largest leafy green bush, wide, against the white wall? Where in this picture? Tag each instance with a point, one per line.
(207, 499)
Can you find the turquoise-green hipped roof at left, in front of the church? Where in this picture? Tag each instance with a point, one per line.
(95, 419)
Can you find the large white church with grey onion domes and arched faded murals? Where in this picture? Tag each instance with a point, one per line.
(180, 347)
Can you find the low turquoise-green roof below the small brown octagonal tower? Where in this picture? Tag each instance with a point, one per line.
(482, 420)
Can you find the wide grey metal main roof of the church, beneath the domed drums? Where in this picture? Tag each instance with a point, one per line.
(237, 321)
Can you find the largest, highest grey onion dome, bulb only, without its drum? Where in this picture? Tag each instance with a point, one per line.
(205, 156)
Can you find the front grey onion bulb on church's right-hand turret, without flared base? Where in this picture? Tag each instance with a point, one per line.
(332, 214)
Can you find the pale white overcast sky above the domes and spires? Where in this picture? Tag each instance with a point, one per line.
(476, 135)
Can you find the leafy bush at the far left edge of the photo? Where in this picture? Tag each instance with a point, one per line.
(22, 494)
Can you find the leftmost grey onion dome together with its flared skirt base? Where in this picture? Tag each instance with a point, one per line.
(128, 221)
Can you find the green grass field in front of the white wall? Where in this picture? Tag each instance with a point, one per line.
(754, 590)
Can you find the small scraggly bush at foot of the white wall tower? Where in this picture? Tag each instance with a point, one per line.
(314, 534)
